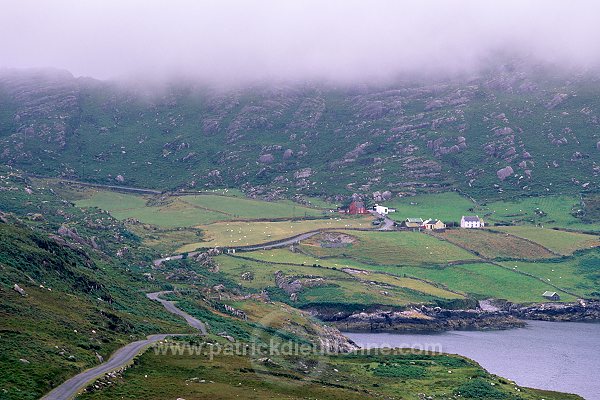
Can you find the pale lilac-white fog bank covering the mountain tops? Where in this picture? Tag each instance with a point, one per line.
(238, 40)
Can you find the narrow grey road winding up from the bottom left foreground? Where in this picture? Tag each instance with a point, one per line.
(122, 356)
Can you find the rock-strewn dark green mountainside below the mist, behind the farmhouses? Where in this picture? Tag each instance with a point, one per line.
(310, 139)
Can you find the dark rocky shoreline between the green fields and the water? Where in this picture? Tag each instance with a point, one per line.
(489, 315)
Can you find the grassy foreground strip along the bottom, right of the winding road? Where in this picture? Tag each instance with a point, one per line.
(359, 376)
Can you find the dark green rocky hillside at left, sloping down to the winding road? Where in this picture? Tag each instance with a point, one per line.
(80, 299)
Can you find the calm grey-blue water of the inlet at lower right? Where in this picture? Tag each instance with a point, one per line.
(561, 356)
